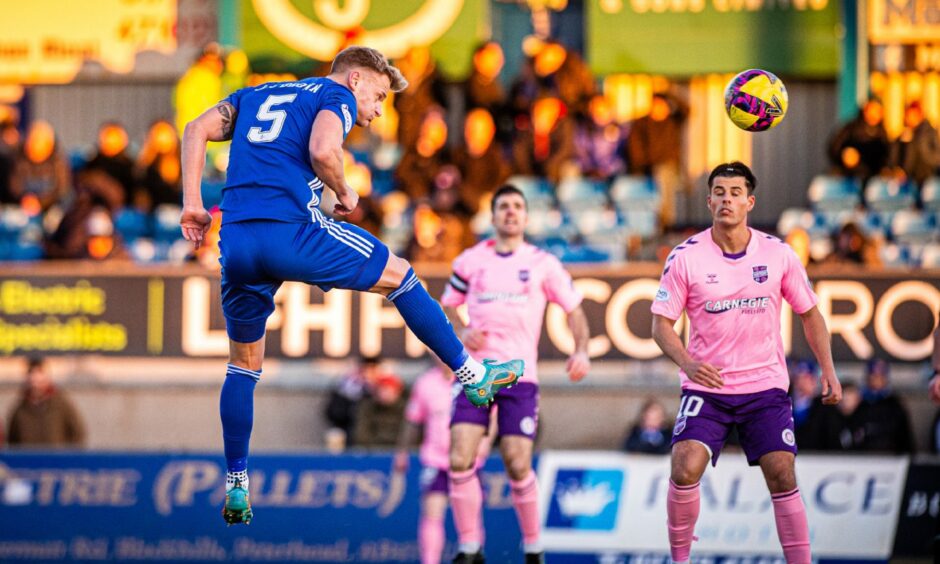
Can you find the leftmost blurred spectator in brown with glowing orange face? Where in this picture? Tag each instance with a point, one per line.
(41, 171)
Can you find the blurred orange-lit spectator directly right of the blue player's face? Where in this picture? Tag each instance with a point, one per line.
(425, 90)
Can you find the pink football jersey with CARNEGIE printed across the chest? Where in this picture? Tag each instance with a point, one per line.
(733, 304)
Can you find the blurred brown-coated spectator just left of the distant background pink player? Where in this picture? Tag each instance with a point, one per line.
(379, 415)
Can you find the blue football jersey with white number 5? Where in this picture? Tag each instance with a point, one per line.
(269, 172)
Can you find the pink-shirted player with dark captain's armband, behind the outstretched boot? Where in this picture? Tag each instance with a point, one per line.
(506, 284)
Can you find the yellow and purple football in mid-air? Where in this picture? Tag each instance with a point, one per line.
(756, 100)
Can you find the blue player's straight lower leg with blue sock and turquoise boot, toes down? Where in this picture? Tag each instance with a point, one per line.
(236, 406)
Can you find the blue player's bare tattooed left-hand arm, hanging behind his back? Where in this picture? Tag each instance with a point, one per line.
(215, 124)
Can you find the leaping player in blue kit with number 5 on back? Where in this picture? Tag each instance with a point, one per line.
(286, 146)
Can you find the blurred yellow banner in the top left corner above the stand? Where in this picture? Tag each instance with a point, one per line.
(46, 41)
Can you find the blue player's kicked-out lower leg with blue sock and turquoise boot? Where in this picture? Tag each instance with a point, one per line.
(427, 321)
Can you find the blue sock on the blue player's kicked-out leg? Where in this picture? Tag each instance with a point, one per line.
(426, 319)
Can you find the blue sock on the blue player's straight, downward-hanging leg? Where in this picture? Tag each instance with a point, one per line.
(236, 405)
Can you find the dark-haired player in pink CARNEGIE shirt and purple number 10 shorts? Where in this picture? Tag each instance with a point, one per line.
(731, 281)
